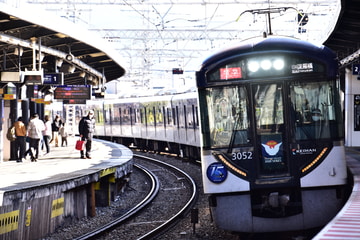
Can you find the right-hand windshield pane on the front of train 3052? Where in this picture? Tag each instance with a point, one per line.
(315, 110)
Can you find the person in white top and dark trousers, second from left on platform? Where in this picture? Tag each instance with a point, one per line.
(35, 133)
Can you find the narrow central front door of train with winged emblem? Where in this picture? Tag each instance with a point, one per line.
(270, 133)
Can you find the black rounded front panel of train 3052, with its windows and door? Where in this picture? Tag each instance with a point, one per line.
(269, 123)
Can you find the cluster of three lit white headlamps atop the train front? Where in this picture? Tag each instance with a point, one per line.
(255, 65)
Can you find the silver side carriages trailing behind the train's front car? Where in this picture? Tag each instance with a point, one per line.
(166, 123)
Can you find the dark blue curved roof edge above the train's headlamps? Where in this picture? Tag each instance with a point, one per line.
(273, 43)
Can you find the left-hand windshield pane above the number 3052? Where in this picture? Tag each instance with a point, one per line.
(229, 121)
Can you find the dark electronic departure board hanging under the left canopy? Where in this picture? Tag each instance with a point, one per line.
(73, 92)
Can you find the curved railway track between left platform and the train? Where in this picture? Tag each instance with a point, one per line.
(172, 194)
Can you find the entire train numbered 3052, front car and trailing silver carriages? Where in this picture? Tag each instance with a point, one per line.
(266, 122)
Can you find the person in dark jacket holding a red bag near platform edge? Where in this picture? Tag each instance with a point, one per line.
(86, 130)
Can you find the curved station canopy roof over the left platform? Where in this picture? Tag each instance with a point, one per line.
(63, 45)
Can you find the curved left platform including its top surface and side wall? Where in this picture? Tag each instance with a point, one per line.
(36, 197)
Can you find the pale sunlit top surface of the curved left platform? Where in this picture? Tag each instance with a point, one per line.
(60, 164)
